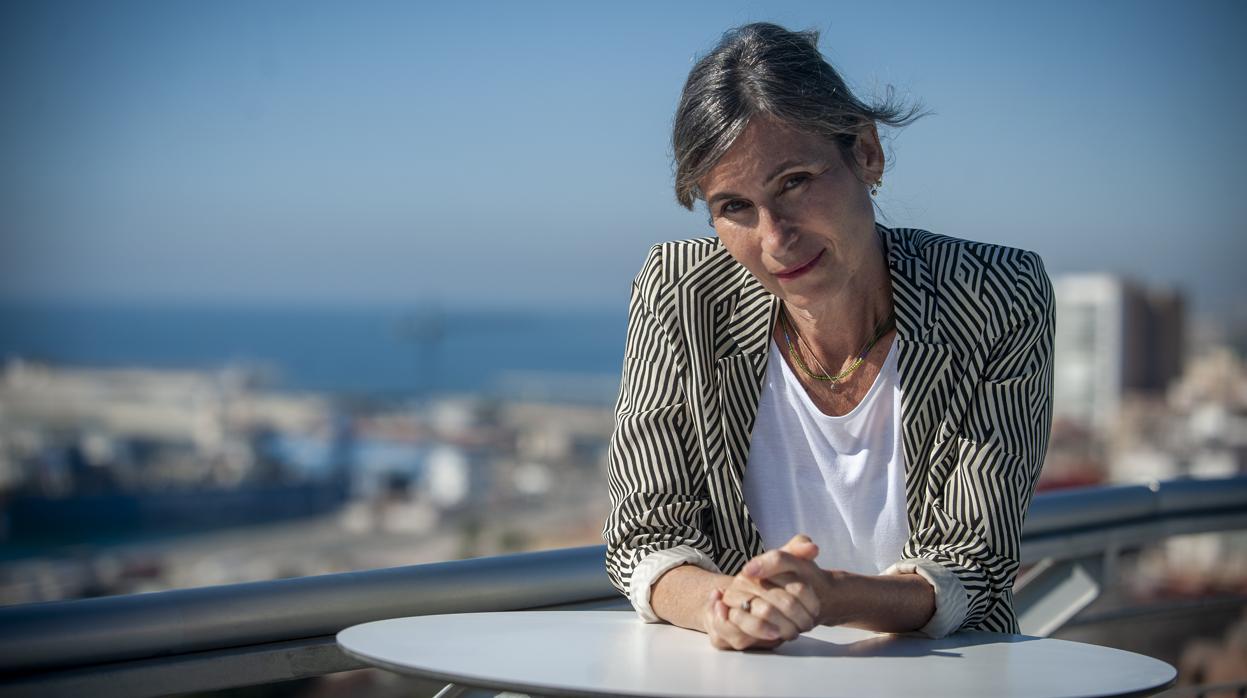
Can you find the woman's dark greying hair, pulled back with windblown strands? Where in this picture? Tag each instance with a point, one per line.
(764, 69)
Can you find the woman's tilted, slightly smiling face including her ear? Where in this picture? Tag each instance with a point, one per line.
(792, 211)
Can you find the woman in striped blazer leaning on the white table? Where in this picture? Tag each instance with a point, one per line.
(821, 421)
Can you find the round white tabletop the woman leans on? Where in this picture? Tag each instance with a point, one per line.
(612, 653)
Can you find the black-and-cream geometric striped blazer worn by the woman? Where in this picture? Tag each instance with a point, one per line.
(975, 332)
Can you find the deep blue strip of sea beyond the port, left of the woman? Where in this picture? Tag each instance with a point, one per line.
(380, 353)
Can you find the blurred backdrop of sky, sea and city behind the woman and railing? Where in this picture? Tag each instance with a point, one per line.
(291, 289)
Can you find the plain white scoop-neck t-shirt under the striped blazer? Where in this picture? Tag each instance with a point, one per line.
(841, 480)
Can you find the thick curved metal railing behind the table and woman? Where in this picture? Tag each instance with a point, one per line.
(251, 634)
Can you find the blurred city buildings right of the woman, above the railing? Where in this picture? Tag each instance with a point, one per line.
(1132, 401)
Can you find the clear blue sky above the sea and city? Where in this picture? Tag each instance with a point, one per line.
(514, 154)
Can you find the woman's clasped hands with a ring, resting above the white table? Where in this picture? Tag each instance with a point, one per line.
(775, 599)
